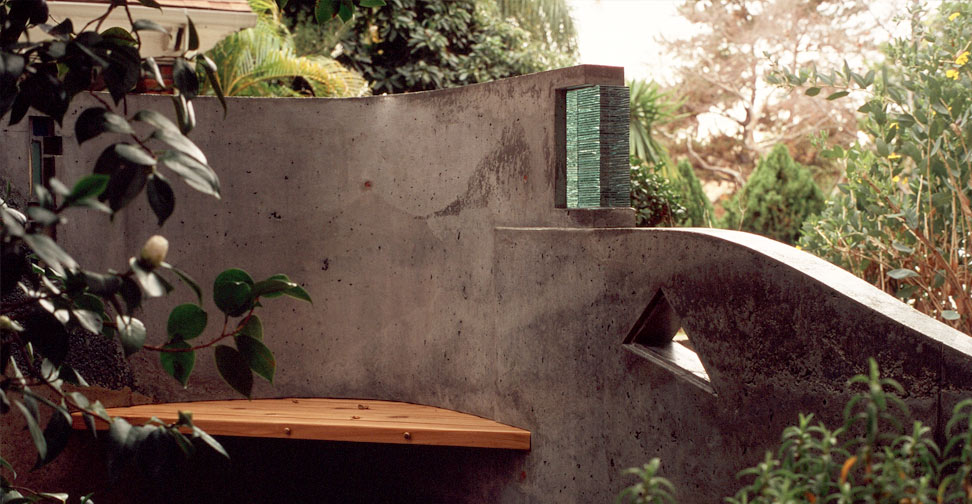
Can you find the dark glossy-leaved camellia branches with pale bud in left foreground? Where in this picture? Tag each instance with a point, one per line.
(49, 298)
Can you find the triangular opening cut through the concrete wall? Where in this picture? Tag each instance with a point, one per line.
(658, 336)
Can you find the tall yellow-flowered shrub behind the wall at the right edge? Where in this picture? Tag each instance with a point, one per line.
(902, 219)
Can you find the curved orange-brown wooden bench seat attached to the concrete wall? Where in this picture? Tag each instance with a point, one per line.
(355, 420)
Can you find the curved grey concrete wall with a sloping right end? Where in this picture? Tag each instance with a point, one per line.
(426, 227)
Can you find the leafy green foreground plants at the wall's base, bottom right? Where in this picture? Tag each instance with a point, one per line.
(887, 457)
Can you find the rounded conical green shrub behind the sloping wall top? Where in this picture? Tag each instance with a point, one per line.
(779, 195)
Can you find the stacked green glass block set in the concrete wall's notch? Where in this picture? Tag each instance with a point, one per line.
(597, 147)
